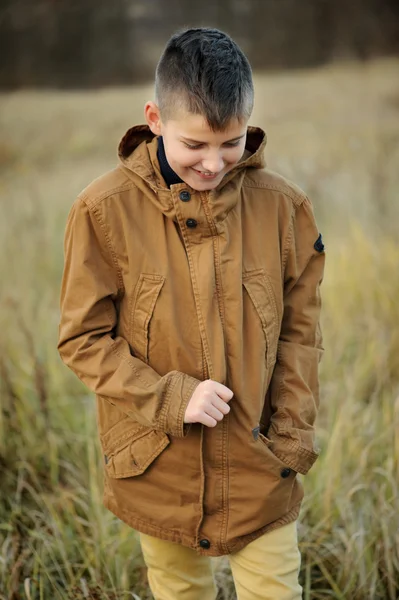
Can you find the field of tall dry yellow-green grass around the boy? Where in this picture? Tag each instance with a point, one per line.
(335, 132)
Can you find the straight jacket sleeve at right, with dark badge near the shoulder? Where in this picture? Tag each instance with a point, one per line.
(294, 388)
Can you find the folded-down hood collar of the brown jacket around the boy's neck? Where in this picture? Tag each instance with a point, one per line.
(138, 154)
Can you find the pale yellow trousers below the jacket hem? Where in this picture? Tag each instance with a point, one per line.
(266, 569)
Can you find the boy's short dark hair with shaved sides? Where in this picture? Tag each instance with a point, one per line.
(203, 70)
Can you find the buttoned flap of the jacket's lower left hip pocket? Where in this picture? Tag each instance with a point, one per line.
(135, 455)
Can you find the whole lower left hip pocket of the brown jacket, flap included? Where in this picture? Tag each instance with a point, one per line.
(132, 452)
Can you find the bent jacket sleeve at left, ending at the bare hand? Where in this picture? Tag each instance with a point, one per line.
(92, 285)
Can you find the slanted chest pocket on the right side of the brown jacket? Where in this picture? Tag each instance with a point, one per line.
(260, 291)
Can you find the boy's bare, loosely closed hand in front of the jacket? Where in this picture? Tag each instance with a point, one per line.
(208, 404)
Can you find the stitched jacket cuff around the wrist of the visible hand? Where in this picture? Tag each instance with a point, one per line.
(180, 391)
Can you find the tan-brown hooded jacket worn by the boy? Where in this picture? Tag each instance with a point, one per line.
(164, 289)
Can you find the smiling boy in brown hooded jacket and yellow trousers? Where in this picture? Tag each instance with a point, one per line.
(190, 306)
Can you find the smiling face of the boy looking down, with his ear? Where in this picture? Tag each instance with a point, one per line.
(199, 156)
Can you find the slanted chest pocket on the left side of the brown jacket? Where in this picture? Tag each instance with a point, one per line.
(143, 303)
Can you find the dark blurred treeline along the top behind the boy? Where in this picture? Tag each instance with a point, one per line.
(89, 43)
